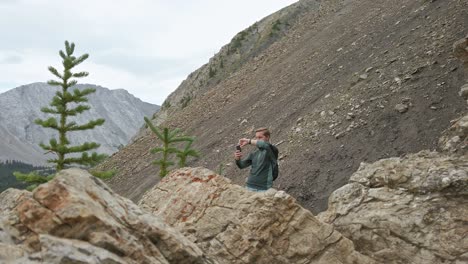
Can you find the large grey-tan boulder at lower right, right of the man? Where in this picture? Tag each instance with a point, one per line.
(406, 210)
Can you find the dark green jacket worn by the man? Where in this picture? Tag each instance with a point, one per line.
(261, 172)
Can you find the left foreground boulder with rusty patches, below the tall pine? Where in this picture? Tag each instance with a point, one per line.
(76, 218)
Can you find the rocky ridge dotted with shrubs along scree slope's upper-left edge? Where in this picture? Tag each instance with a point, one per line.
(243, 47)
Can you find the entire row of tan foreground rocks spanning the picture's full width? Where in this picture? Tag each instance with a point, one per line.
(399, 210)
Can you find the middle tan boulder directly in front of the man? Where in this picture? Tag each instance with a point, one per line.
(233, 225)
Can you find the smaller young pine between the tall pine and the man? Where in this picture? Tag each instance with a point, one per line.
(169, 138)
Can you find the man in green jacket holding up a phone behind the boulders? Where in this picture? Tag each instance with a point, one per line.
(262, 160)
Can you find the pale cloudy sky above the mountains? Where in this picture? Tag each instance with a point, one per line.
(147, 47)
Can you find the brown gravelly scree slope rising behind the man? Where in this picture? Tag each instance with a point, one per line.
(349, 82)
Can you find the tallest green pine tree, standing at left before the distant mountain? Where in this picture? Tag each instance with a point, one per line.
(67, 104)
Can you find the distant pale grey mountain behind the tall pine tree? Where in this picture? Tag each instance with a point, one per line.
(19, 107)
